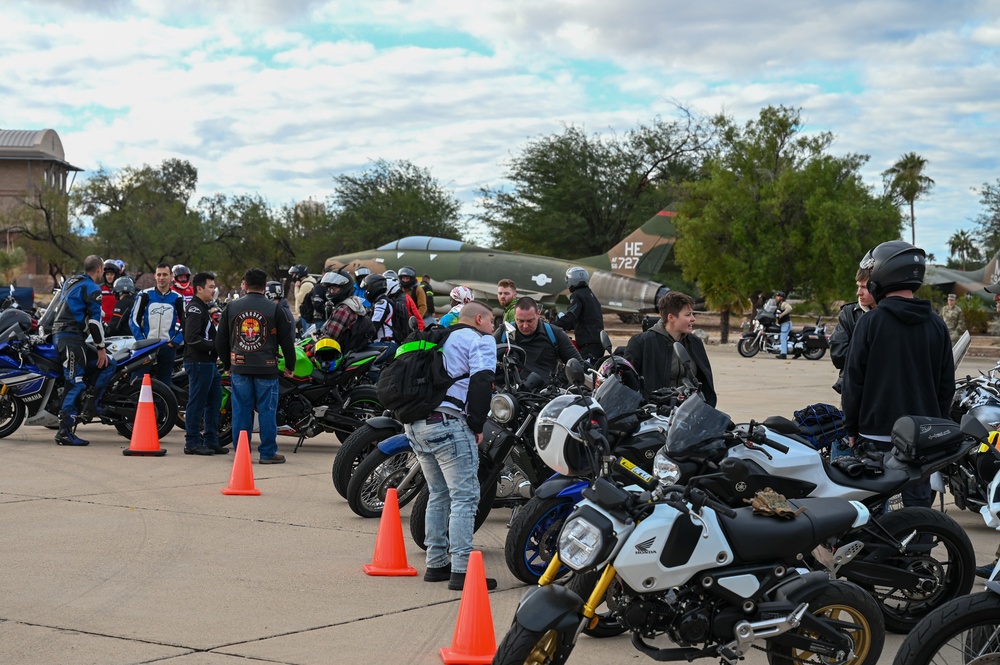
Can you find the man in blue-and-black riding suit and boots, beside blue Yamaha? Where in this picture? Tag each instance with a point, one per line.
(79, 314)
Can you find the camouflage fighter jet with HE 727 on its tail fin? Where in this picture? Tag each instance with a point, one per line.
(619, 278)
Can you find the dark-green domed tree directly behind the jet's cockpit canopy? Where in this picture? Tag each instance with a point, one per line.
(387, 201)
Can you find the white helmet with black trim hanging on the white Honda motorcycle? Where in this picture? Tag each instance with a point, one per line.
(558, 436)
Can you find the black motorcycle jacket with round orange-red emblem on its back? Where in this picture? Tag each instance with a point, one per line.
(250, 333)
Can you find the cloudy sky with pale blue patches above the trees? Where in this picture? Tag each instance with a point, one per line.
(281, 95)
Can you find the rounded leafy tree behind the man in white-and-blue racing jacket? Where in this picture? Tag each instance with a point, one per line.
(142, 214)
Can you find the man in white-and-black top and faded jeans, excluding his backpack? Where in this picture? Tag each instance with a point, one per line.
(446, 444)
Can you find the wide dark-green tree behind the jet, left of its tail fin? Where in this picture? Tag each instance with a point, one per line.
(576, 195)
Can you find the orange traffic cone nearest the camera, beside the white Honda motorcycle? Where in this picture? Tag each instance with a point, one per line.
(474, 641)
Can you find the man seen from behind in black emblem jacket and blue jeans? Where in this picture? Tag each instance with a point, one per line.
(250, 333)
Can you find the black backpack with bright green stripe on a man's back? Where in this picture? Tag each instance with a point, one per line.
(415, 381)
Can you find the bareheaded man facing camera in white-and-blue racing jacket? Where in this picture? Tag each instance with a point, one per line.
(158, 314)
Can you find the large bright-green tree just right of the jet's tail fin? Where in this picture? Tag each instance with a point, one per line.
(774, 211)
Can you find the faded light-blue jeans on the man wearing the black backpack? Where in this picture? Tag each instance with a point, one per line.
(449, 460)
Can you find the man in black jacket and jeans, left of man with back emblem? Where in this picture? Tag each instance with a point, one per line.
(204, 382)
